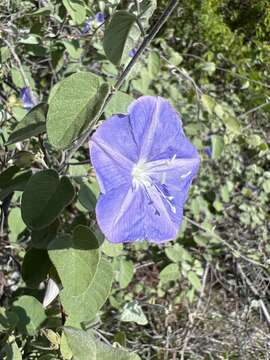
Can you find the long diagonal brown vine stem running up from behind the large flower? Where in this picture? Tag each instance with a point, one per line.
(172, 4)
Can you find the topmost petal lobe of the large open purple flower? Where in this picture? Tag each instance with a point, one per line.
(156, 126)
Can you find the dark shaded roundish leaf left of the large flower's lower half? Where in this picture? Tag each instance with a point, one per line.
(44, 197)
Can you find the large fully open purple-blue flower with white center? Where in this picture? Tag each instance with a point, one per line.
(144, 165)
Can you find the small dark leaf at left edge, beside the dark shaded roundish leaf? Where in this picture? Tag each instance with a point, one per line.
(13, 179)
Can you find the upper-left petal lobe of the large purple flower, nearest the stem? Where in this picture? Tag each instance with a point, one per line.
(113, 153)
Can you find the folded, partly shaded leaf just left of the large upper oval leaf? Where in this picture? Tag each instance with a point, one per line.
(32, 124)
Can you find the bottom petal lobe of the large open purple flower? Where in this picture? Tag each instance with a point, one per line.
(126, 215)
